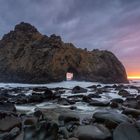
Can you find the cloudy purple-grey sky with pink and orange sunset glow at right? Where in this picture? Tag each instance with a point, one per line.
(94, 24)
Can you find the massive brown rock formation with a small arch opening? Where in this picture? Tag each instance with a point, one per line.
(28, 56)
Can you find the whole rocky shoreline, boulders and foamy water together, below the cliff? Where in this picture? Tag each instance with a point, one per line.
(75, 110)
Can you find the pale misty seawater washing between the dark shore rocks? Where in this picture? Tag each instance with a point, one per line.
(81, 106)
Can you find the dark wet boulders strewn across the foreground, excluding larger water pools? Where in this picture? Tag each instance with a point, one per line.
(115, 119)
